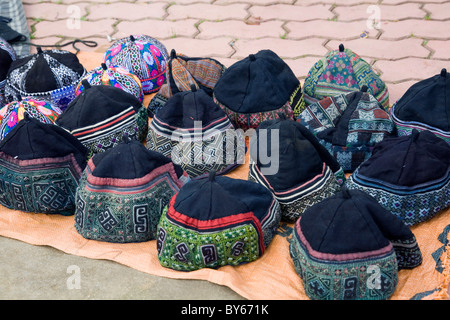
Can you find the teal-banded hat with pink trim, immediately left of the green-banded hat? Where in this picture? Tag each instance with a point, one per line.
(117, 205)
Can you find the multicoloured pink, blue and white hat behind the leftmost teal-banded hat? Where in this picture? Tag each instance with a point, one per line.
(12, 113)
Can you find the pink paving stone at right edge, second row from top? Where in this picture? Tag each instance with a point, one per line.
(427, 29)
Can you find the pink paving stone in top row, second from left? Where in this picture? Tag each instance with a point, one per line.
(136, 11)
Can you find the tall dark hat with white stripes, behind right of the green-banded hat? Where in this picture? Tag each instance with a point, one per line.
(303, 172)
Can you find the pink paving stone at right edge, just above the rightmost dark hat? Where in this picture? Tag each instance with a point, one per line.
(409, 69)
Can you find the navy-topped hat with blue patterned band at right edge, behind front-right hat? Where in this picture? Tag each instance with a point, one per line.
(408, 175)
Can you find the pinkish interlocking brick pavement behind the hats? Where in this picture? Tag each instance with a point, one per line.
(405, 41)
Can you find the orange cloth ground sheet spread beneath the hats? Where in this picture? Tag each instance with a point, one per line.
(271, 277)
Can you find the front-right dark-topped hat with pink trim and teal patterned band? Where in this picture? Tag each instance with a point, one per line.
(348, 247)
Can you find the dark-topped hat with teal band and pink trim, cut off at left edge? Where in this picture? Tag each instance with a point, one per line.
(40, 167)
